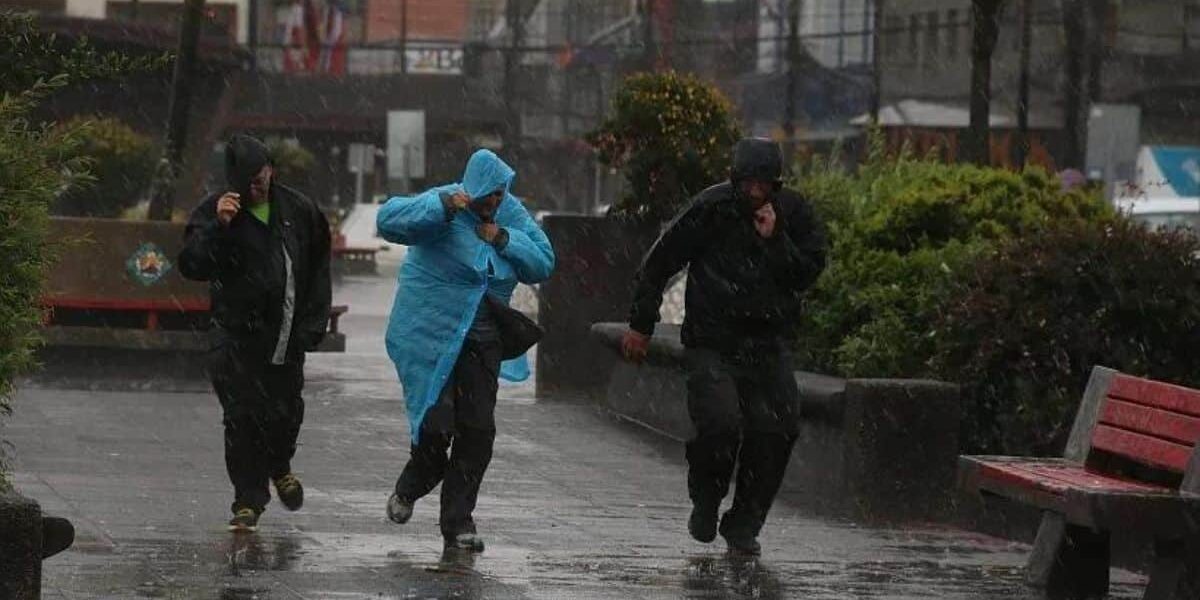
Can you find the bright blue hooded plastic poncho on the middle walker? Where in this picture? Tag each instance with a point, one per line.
(446, 277)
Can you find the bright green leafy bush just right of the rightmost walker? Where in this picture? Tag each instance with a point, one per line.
(903, 232)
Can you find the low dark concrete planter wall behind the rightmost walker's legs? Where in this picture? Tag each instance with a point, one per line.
(868, 448)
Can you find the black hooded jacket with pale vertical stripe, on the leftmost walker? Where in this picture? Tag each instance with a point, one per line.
(249, 265)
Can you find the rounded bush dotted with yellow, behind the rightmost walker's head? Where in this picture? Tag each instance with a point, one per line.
(673, 135)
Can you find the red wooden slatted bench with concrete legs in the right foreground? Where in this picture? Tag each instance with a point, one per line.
(1131, 465)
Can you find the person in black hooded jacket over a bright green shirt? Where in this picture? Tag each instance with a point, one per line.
(265, 249)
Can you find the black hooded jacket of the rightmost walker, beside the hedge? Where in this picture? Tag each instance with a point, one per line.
(740, 285)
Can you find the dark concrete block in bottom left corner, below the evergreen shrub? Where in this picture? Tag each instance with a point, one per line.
(21, 548)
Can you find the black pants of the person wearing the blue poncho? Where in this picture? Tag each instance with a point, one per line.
(457, 440)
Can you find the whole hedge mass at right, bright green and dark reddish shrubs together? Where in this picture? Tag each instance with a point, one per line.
(999, 281)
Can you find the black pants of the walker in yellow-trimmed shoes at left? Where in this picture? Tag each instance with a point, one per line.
(262, 416)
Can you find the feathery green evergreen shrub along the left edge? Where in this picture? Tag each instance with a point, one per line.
(37, 165)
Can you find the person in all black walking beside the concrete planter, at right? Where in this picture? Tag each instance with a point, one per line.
(752, 250)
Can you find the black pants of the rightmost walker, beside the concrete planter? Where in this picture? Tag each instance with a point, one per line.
(745, 409)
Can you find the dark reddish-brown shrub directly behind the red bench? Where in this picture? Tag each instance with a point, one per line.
(1025, 326)
